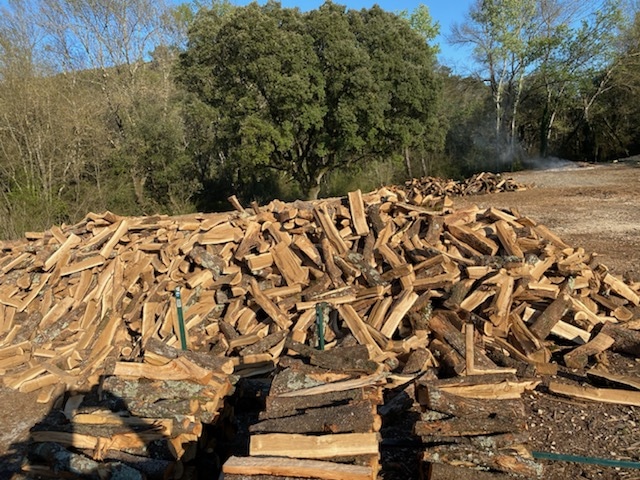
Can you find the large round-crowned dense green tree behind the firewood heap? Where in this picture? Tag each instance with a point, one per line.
(310, 93)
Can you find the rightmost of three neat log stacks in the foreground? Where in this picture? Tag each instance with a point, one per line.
(476, 423)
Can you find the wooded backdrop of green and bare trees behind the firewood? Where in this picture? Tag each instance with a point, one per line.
(139, 107)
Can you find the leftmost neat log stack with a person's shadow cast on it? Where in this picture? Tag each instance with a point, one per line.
(146, 421)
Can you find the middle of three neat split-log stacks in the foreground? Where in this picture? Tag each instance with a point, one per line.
(318, 422)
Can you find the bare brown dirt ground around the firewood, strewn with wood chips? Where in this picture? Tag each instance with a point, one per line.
(593, 206)
